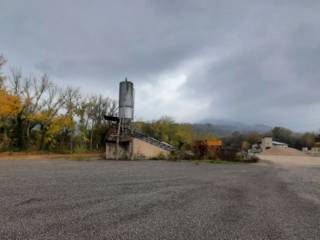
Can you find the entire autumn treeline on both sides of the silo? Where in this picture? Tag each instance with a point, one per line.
(37, 115)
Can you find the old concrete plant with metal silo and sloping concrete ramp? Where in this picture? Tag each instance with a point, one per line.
(122, 141)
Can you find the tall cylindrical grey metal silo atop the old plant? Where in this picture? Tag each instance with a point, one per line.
(126, 100)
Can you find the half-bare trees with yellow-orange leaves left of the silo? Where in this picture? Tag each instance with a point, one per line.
(35, 114)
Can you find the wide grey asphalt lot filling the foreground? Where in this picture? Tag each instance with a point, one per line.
(58, 199)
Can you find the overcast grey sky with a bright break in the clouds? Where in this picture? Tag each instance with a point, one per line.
(251, 61)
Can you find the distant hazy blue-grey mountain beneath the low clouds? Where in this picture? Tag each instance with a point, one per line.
(223, 128)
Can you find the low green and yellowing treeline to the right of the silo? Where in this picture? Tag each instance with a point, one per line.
(183, 135)
